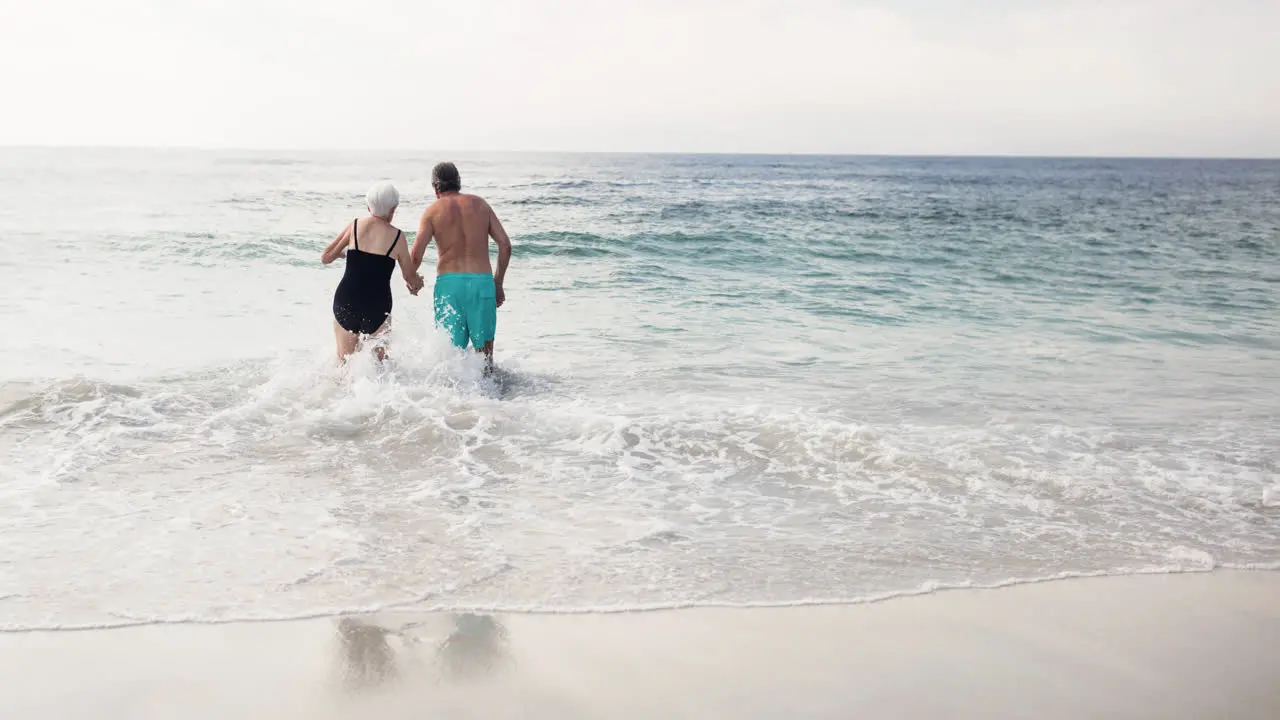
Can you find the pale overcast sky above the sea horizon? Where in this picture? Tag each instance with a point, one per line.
(1057, 78)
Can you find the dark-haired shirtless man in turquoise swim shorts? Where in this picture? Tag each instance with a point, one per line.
(468, 291)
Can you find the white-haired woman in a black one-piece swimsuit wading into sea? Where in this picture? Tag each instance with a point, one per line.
(373, 247)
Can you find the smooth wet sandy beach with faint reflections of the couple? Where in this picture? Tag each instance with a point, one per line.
(1153, 646)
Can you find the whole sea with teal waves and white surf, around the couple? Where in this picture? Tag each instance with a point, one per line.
(723, 381)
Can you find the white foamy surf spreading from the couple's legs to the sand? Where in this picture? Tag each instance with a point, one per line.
(294, 489)
